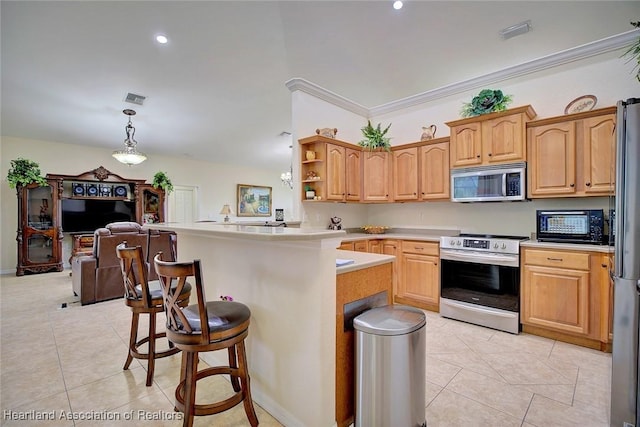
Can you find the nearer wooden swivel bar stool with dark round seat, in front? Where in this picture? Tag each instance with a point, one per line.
(205, 326)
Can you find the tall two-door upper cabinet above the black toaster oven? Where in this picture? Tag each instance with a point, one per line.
(572, 155)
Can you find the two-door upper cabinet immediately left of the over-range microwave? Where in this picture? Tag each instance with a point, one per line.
(421, 171)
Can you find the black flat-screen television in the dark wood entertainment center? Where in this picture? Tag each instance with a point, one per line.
(86, 215)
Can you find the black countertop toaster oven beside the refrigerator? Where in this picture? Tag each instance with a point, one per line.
(570, 226)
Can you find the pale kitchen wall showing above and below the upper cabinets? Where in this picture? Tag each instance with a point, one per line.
(608, 77)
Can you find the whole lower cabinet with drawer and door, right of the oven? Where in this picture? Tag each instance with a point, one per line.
(562, 296)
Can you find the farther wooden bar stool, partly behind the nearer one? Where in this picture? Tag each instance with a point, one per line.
(144, 297)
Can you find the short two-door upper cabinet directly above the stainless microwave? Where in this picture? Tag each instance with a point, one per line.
(492, 138)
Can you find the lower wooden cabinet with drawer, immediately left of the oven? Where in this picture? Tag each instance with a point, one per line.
(419, 275)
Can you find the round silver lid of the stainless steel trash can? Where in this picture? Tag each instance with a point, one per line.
(390, 320)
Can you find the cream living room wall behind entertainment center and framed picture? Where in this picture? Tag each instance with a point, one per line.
(216, 183)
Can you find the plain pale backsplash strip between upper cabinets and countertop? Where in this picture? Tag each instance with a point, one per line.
(513, 218)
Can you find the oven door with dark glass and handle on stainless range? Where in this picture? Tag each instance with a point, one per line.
(485, 279)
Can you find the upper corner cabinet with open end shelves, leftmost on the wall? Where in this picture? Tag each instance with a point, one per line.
(331, 168)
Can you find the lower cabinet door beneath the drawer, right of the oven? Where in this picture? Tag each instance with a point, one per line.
(556, 299)
